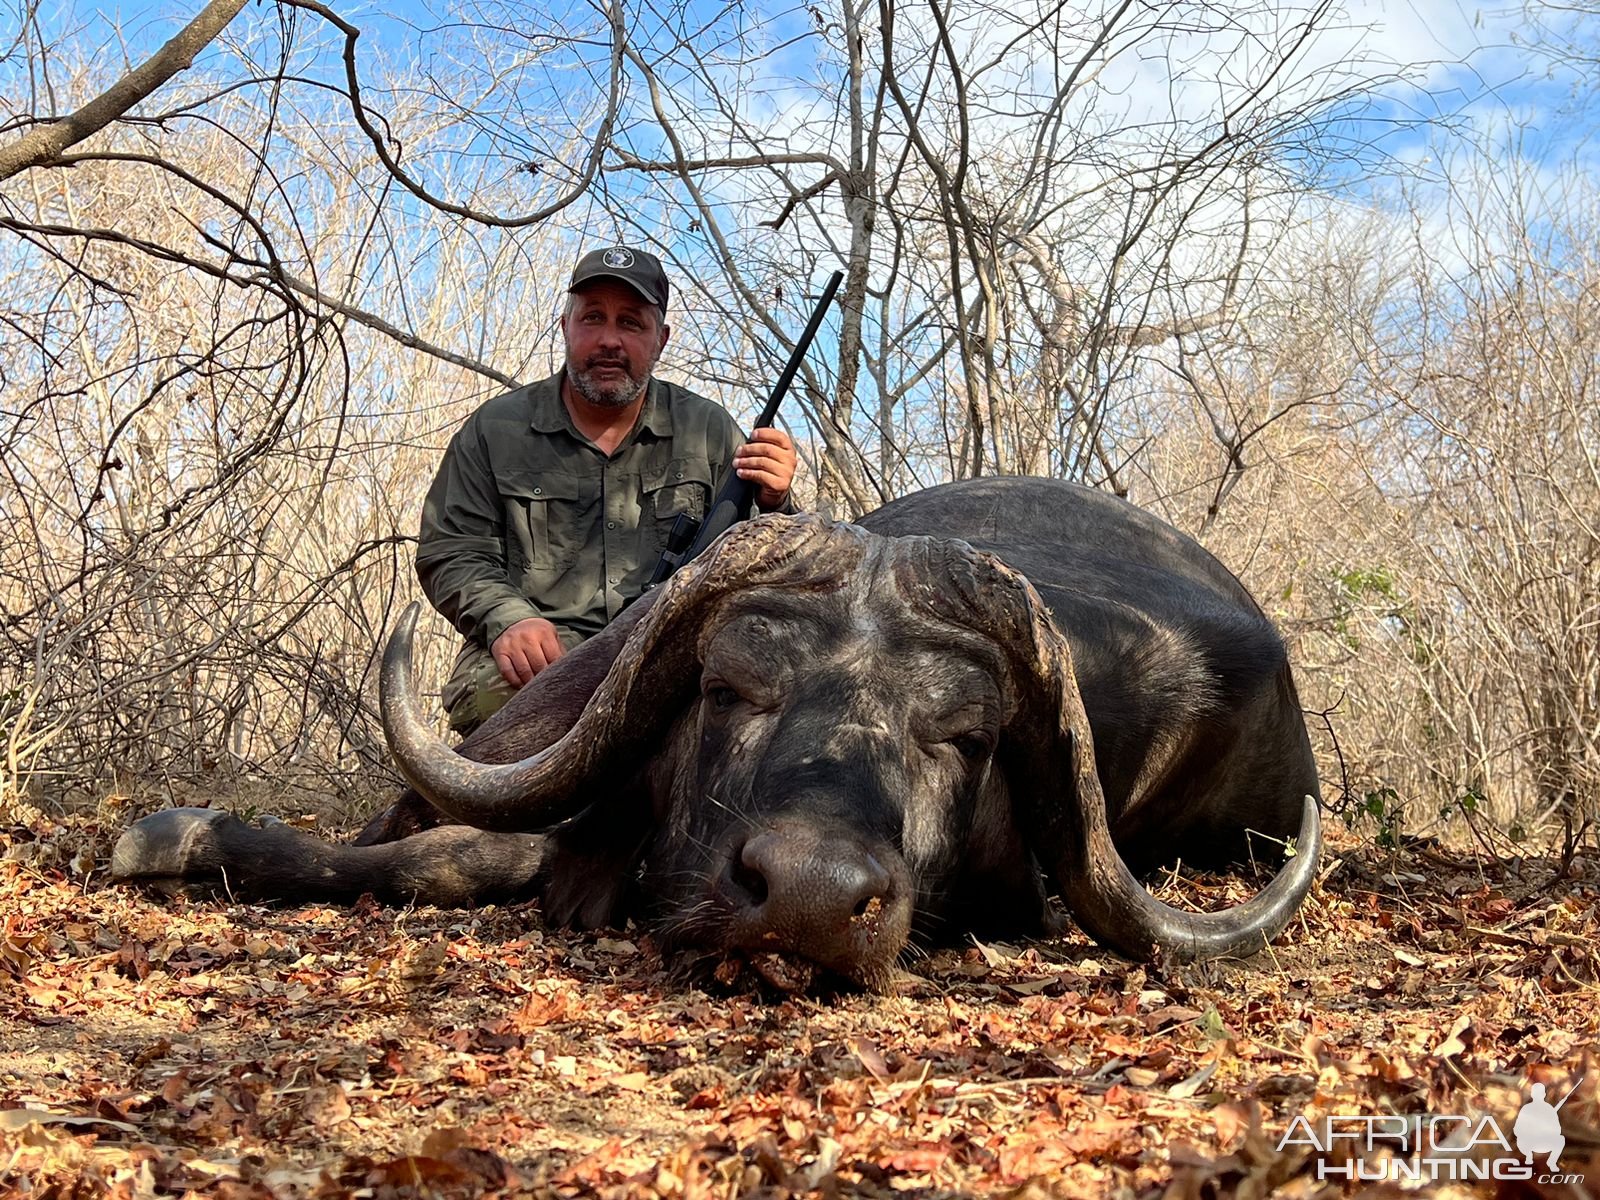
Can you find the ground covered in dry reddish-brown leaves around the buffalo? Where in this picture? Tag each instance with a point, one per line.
(154, 1049)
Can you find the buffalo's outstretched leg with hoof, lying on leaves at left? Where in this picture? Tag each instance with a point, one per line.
(202, 849)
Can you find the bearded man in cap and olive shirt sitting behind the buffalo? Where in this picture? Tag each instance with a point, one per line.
(554, 502)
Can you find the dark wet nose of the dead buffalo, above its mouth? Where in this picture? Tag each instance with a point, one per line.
(799, 884)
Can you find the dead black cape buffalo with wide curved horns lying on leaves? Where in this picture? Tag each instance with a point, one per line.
(822, 743)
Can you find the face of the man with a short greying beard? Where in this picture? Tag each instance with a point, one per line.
(614, 342)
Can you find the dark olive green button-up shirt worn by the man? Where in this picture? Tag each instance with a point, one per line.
(529, 518)
